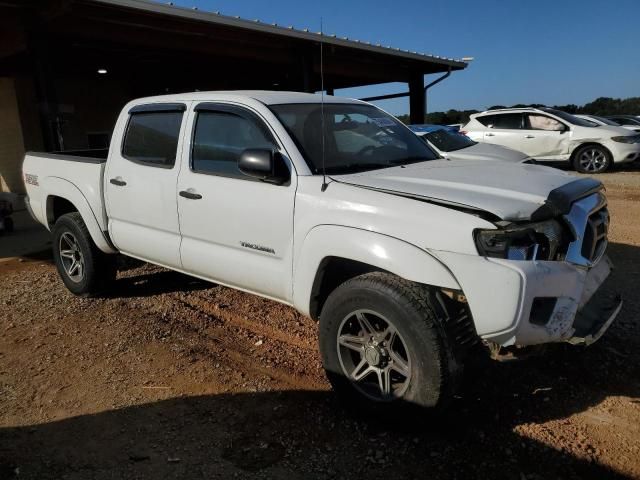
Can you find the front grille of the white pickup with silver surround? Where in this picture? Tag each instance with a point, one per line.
(589, 220)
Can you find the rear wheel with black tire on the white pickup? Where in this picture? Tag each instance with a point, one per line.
(97, 271)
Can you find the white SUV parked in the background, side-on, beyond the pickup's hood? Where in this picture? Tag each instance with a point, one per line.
(550, 135)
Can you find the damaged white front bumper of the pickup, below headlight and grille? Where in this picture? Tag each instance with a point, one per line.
(536, 302)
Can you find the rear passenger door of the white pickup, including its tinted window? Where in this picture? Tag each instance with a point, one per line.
(140, 184)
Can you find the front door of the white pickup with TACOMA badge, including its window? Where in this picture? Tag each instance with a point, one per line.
(236, 230)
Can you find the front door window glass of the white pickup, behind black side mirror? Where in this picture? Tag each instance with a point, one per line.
(219, 139)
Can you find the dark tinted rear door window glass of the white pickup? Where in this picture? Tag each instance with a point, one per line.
(151, 138)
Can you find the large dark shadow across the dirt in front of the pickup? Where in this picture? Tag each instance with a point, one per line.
(306, 434)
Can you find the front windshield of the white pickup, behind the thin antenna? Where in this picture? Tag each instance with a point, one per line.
(357, 137)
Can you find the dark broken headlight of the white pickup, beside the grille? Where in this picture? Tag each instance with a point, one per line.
(546, 240)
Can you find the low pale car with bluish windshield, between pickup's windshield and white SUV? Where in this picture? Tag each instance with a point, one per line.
(456, 146)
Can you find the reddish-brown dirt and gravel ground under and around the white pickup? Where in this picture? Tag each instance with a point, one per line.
(171, 377)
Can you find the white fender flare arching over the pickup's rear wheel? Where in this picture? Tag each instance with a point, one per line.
(59, 187)
